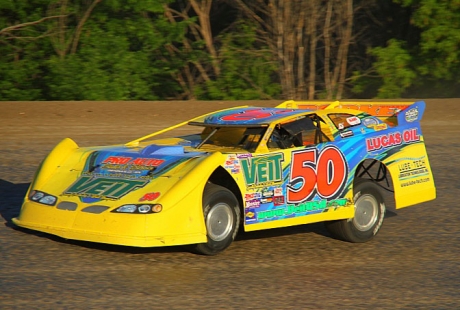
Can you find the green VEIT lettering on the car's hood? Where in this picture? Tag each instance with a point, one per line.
(104, 188)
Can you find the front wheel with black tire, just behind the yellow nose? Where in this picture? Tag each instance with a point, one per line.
(222, 217)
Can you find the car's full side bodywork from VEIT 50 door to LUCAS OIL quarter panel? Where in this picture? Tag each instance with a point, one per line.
(311, 184)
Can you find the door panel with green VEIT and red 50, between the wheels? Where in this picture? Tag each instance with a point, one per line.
(292, 187)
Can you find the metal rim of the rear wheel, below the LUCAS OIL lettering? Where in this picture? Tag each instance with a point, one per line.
(366, 212)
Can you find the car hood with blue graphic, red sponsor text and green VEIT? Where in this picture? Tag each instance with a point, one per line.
(113, 172)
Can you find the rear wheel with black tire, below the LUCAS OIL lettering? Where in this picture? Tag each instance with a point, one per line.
(369, 215)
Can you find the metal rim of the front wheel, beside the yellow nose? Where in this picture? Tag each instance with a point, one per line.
(219, 222)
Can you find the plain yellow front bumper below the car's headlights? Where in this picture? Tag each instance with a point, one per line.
(139, 230)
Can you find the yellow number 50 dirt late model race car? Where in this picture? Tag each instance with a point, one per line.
(250, 167)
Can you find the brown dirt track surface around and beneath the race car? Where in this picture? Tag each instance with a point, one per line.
(414, 262)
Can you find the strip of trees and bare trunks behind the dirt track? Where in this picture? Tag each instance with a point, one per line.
(228, 49)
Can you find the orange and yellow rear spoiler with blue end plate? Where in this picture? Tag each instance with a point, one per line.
(382, 109)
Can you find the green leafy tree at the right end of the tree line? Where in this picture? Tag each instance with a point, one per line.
(432, 62)
